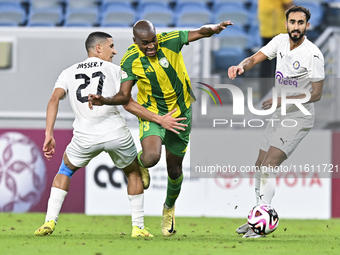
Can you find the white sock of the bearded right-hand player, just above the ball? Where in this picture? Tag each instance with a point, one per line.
(267, 186)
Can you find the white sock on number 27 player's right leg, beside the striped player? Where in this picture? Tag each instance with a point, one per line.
(137, 210)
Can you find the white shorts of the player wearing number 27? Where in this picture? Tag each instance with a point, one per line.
(122, 151)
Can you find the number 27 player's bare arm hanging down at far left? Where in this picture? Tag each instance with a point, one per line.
(51, 115)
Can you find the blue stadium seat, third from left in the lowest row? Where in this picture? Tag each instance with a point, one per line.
(84, 17)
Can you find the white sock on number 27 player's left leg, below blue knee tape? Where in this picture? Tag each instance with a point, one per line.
(55, 202)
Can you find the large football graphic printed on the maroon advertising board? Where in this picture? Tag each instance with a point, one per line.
(22, 173)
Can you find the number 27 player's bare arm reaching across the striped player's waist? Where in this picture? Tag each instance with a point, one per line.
(166, 121)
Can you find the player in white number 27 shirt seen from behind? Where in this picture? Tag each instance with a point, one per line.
(97, 130)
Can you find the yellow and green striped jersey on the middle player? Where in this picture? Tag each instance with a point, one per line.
(163, 82)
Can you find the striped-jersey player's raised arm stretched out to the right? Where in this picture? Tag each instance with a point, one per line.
(207, 30)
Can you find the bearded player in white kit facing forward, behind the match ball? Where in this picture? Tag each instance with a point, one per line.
(299, 69)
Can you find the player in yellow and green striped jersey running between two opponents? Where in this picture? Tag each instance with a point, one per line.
(156, 64)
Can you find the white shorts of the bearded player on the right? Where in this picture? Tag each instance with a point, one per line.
(284, 138)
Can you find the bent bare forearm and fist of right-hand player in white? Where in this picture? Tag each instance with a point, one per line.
(246, 64)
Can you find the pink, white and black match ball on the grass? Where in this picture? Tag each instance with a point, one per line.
(263, 219)
